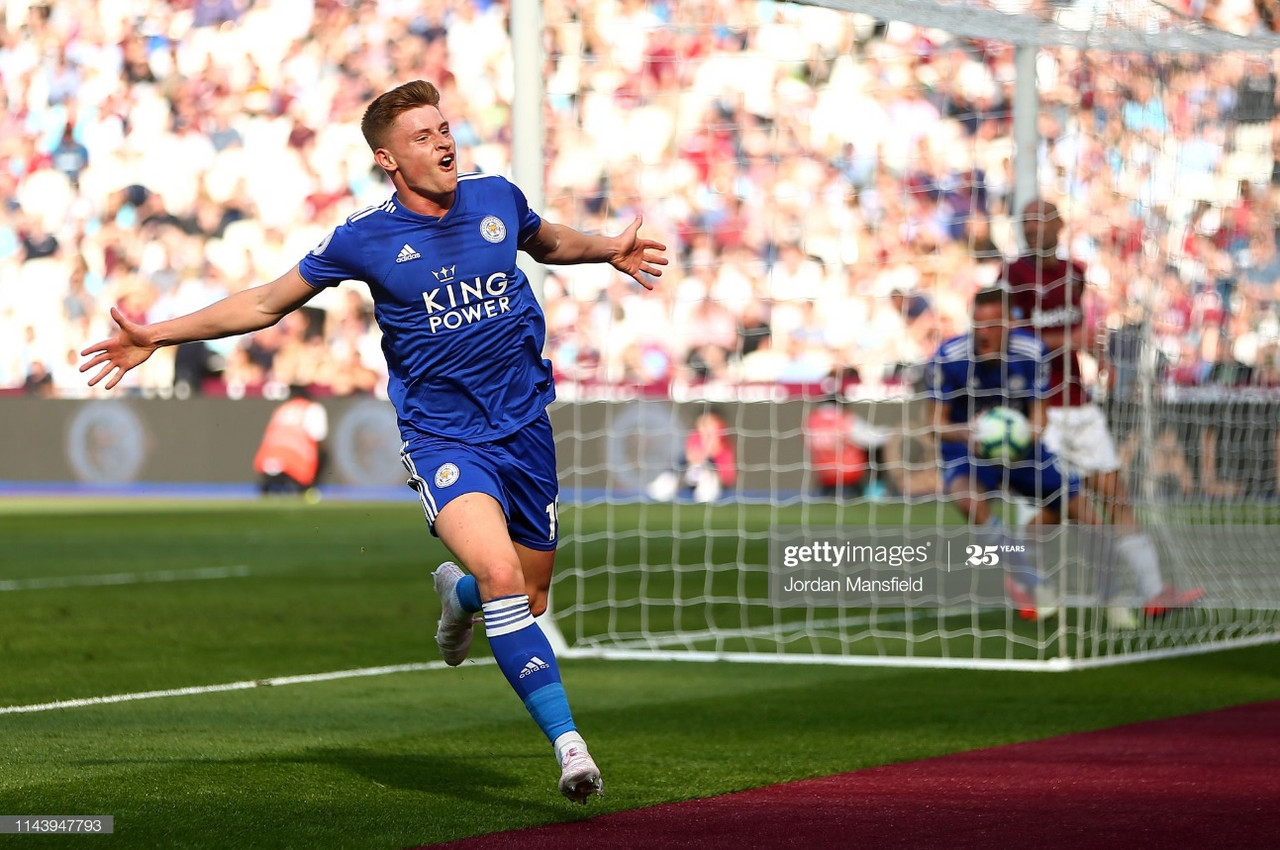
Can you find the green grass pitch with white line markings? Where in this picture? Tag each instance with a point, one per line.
(103, 598)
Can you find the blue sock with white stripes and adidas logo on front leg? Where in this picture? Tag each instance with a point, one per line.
(527, 660)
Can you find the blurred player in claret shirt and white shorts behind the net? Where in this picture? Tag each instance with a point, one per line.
(1046, 298)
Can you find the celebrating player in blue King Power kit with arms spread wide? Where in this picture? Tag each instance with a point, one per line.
(464, 337)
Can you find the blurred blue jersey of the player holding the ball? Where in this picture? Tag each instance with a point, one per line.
(967, 386)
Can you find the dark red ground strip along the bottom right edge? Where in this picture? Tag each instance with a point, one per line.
(1201, 782)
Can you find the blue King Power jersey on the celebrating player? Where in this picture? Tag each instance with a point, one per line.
(463, 332)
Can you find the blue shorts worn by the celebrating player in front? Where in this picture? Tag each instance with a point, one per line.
(519, 472)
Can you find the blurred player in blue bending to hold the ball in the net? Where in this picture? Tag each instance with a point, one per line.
(995, 367)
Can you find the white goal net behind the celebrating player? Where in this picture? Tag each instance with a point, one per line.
(836, 182)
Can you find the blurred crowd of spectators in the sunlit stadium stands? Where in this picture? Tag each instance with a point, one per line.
(834, 190)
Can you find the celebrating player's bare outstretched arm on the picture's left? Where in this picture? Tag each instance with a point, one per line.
(236, 314)
